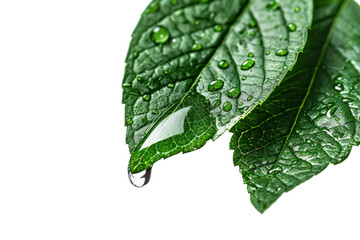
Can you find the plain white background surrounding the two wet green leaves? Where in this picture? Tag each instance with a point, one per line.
(63, 157)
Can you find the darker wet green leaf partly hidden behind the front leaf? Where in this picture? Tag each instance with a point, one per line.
(312, 119)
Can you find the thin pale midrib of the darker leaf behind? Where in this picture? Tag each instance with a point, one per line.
(321, 58)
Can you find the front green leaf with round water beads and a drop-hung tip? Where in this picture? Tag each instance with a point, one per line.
(195, 67)
